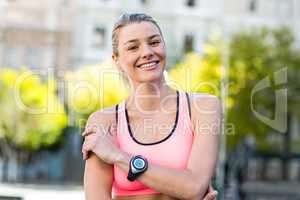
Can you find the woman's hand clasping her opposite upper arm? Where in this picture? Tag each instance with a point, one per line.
(101, 142)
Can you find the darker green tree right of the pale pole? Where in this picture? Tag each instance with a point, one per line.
(264, 54)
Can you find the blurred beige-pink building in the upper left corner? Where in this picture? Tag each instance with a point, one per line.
(36, 34)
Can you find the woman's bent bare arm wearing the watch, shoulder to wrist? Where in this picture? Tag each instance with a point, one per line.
(193, 182)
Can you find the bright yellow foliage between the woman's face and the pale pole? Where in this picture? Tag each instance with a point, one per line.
(199, 73)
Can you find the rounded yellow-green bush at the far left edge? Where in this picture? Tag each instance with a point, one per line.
(32, 117)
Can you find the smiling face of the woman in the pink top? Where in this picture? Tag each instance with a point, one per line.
(141, 52)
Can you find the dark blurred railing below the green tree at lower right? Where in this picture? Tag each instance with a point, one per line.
(242, 187)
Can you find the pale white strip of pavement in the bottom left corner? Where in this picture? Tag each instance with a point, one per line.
(38, 192)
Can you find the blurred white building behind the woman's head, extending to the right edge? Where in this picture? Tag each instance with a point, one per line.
(186, 25)
